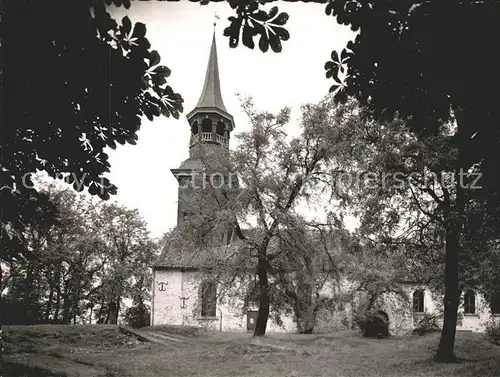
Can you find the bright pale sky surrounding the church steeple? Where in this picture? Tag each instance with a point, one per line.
(182, 32)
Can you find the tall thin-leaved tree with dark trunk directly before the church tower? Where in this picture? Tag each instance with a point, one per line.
(274, 176)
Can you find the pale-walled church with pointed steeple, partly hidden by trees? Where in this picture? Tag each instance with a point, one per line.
(182, 296)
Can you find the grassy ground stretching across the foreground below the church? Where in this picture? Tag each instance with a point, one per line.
(103, 351)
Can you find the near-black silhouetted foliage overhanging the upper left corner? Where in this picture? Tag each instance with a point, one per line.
(93, 80)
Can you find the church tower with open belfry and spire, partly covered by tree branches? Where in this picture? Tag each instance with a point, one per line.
(210, 127)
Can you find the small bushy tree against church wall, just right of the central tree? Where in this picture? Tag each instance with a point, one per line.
(308, 274)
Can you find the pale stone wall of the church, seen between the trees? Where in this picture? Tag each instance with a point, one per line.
(170, 285)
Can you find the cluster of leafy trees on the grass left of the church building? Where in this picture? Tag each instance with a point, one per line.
(74, 270)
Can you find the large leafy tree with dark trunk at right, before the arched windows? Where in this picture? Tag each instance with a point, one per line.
(405, 190)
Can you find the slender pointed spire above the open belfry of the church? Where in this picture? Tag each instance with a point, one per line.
(211, 95)
